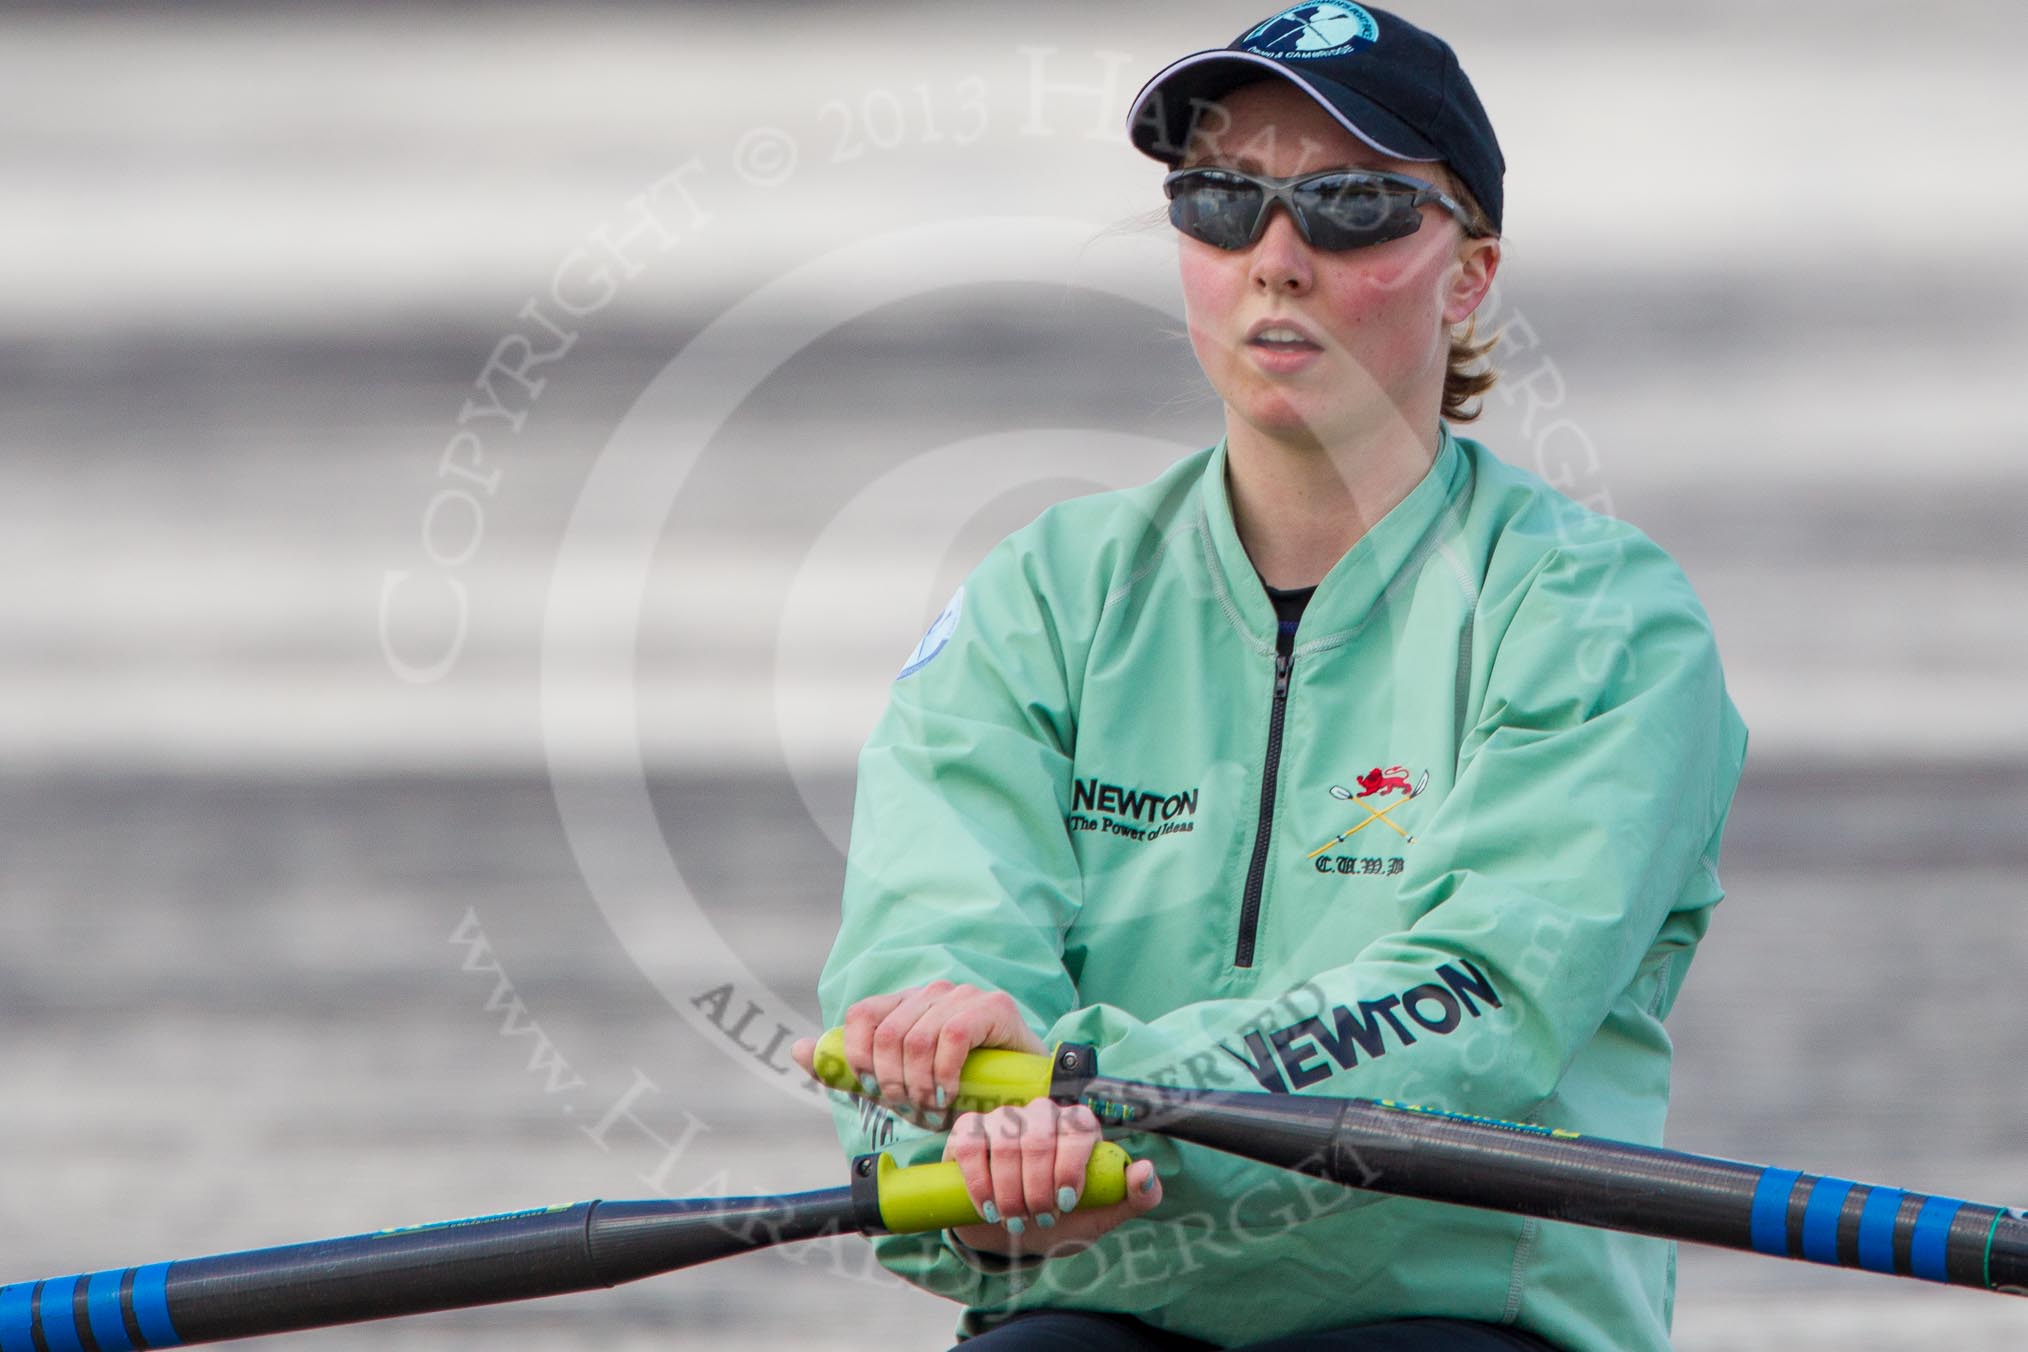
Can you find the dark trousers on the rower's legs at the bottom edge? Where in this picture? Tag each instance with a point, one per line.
(1064, 1331)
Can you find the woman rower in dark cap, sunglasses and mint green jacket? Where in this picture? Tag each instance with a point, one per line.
(1344, 759)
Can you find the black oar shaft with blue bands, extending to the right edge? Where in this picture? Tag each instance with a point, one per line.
(1563, 1177)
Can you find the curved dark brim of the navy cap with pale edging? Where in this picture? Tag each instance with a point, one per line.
(1163, 131)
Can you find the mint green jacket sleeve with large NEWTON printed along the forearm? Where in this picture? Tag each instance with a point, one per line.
(1575, 854)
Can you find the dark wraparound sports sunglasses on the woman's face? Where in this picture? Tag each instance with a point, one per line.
(1335, 210)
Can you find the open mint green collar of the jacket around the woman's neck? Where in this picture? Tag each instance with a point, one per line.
(1358, 583)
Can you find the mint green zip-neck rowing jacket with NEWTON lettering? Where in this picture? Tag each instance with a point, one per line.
(1457, 850)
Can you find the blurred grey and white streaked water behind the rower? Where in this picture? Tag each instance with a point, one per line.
(267, 905)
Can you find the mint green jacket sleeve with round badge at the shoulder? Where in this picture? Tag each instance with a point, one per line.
(960, 865)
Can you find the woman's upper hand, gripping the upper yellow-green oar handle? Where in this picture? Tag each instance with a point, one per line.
(910, 1047)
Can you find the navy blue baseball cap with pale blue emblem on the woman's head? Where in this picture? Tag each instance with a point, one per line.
(1392, 84)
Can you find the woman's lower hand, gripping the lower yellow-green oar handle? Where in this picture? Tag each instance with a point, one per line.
(1025, 1171)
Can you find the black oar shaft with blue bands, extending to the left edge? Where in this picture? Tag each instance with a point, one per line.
(449, 1266)
